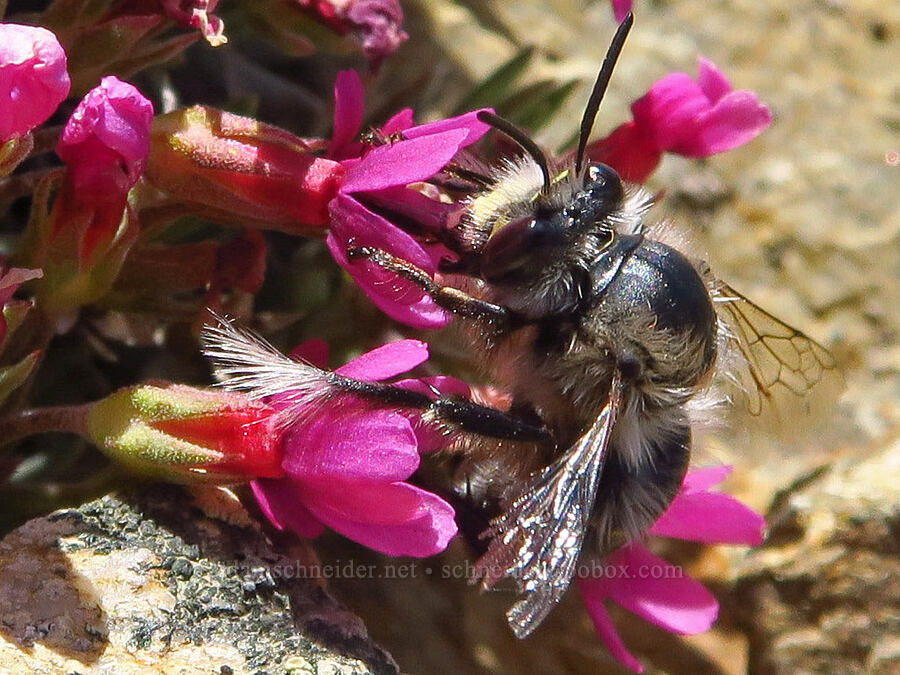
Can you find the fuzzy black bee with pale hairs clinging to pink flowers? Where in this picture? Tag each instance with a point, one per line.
(603, 332)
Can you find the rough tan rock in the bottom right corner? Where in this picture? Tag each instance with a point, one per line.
(824, 594)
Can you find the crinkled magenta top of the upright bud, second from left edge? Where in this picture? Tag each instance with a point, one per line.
(107, 139)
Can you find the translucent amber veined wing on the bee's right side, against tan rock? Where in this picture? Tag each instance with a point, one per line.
(776, 356)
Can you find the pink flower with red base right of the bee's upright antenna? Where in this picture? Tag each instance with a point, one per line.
(694, 119)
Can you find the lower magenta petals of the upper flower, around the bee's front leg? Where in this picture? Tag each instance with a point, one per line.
(398, 298)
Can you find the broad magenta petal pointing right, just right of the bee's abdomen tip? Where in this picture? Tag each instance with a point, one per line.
(711, 518)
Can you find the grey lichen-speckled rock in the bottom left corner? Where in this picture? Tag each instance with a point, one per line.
(151, 582)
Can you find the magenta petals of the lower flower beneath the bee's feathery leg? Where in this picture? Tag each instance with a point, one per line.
(346, 467)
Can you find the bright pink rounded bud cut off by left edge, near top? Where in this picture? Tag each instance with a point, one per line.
(33, 78)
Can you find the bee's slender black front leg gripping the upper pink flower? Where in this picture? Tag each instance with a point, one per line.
(447, 297)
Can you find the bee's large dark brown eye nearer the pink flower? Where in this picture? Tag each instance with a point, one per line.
(515, 245)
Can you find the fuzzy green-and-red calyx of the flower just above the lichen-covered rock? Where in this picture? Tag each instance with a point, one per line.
(181, 433)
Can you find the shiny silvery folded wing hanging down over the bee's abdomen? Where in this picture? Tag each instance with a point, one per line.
(538, 538)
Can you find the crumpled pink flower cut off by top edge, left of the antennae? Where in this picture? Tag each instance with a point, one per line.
(375, 24)
